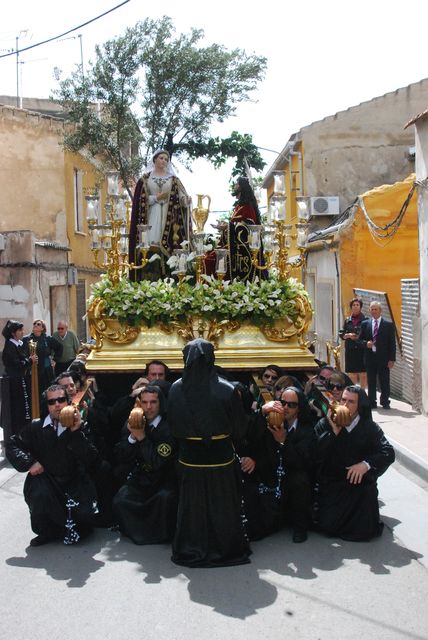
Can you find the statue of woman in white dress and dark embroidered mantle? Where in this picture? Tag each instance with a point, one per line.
(161, 201)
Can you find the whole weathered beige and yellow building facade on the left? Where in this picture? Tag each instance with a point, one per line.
(45, 259)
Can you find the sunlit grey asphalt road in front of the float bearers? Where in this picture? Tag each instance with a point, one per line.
(324, 589)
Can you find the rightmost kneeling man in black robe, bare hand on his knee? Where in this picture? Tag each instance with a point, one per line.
(349, 461)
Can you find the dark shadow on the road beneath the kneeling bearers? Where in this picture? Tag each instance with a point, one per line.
(238, 592)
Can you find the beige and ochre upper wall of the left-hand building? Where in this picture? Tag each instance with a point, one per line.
(37, 191)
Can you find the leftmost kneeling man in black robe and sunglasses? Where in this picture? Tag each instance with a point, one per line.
(58, 489)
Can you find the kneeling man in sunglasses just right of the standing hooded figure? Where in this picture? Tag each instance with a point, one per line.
(288, 452)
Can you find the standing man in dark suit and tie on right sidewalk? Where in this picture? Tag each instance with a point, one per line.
(377, 338)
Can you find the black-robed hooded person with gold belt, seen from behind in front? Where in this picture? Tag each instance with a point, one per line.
(205, 413)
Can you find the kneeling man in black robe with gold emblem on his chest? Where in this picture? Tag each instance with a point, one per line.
(145, 507)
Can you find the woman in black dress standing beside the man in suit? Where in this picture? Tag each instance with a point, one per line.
(354, 355)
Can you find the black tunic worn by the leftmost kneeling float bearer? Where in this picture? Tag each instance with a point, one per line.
(68, 461)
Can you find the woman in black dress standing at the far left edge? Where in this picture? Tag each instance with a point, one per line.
(17, 364)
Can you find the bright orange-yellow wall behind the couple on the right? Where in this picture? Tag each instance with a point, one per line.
(379, 265)
